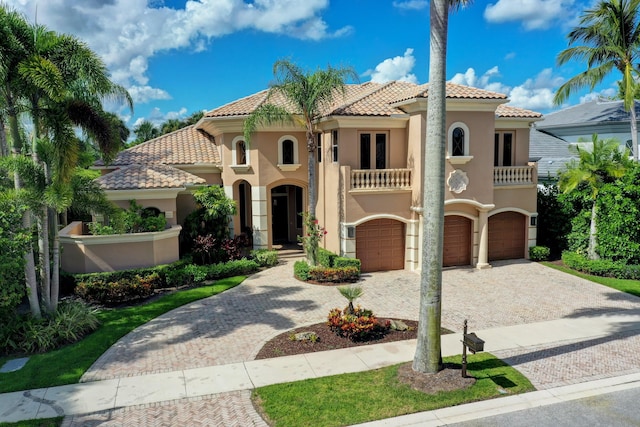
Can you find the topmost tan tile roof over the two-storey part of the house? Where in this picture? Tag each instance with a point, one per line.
(372, 99)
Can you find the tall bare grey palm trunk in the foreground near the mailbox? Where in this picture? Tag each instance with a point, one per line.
(428, 357)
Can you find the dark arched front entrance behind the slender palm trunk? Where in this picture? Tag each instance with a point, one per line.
(286, 207)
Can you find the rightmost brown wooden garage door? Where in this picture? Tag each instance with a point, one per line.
(506, 236)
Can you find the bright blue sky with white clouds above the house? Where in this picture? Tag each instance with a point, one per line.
(177, 57)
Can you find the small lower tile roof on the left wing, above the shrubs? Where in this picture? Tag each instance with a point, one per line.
(143, 177)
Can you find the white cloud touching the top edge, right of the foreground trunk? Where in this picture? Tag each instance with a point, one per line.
(534, 14)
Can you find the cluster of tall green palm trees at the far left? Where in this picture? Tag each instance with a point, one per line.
(60, 83)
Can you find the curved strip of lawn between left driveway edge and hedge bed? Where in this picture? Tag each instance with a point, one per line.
(66, 365)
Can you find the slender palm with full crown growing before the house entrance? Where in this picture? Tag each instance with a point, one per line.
(309, 93)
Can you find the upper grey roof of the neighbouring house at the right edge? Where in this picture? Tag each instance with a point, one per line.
(597, 115)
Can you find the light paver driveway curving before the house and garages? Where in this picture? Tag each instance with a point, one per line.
(232, 326)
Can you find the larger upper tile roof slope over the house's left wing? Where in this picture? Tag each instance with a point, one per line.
(186, 146)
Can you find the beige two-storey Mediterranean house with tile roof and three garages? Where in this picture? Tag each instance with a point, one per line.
(369, 181)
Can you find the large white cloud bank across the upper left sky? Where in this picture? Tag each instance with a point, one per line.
(126, 33)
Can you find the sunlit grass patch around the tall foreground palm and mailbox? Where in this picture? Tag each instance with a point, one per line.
(372, 395)
